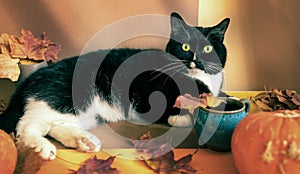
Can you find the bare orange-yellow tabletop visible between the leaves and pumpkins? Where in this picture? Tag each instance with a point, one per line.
(205, 160)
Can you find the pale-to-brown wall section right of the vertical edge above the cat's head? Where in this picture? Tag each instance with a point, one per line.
(263, 41)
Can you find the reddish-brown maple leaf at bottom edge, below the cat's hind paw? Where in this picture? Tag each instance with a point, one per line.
(97, 166)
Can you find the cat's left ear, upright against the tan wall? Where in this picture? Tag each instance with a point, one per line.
(178, 26)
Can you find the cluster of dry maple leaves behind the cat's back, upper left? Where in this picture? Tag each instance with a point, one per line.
(25, 49)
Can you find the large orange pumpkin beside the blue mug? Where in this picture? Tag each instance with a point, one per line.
(268, 142)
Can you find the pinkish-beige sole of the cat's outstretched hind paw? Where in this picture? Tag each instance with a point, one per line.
(88, 145)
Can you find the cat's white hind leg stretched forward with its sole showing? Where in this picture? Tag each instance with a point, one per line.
(74, 136)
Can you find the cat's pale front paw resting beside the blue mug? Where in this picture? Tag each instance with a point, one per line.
(180, 120)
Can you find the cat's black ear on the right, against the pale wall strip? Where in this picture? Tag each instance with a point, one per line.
(218, 31)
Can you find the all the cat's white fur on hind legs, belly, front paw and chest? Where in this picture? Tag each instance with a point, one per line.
(40, 120)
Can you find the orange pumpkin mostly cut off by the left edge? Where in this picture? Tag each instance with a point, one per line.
(8, 154)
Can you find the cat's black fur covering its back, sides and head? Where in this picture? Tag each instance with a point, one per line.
(57, 84)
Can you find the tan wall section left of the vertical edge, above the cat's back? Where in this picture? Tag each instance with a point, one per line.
(72, 23)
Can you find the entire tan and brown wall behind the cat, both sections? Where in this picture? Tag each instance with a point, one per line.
(262, 40)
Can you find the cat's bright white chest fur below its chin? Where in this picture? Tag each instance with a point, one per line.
(213, 82)
